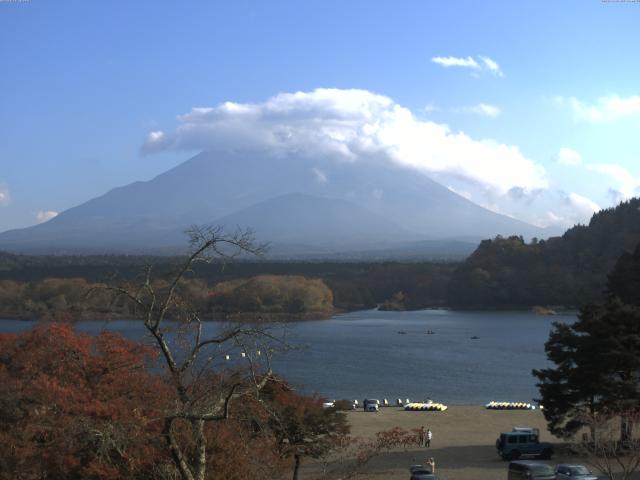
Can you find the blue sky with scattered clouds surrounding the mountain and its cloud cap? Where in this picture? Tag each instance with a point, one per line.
(82, 85)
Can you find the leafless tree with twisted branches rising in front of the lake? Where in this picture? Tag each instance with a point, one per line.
(195, 358)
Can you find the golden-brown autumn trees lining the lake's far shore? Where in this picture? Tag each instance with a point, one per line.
(269, 296)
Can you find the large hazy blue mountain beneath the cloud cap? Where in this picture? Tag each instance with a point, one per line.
(319, 205)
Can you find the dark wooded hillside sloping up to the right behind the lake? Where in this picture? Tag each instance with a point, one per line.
(563, 271)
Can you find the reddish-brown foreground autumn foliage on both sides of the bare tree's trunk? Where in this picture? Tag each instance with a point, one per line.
(75, 406)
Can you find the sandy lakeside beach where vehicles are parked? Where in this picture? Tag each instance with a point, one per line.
(463, 443)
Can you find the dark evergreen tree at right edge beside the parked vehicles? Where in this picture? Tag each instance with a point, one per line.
(597, 360)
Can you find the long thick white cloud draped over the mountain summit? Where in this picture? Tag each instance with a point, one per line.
(352, 125)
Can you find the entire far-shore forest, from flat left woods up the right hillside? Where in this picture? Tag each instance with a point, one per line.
(563, 272)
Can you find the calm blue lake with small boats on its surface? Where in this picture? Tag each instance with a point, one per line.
(361, 354)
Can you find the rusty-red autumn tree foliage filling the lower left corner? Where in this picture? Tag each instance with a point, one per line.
(76, 406)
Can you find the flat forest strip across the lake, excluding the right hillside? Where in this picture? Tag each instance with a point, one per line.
(38, 287)
